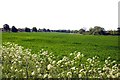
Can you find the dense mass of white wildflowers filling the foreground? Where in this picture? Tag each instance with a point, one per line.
(18, 62)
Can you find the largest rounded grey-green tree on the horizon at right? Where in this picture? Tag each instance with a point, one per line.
(97, 30)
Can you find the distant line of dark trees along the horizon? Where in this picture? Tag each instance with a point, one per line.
(97, 30)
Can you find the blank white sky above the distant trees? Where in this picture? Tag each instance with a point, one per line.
(59, 14)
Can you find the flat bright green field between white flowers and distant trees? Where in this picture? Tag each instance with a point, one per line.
(63, 44)
